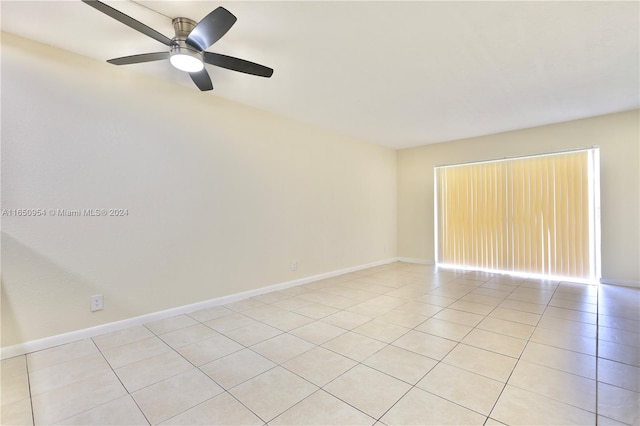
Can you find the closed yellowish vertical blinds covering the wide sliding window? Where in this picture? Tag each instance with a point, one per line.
(531, 215)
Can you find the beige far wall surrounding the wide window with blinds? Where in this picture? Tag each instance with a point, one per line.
(618, 137)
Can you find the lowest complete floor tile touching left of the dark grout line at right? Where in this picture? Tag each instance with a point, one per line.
(564, 387)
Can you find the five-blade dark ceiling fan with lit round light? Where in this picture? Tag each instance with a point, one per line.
(187, 49)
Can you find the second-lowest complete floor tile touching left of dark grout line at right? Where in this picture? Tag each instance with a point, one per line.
(560, 359)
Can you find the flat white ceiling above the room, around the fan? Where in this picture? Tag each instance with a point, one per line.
(399, 74)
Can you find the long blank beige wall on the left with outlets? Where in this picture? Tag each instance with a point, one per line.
(221, 197)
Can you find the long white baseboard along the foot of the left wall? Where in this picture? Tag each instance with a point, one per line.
(86, 333)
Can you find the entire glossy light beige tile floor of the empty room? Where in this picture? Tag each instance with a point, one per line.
(395, 344)
